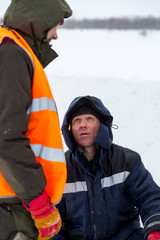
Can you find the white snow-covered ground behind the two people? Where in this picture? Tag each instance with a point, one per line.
(122, 68)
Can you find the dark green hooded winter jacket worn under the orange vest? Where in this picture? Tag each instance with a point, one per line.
(16, 76)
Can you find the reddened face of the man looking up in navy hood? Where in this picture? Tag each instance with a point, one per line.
(84, 129)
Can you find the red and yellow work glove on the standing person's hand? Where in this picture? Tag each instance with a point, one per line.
(46, 216)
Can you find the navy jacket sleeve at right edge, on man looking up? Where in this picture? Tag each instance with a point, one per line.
(144, 193)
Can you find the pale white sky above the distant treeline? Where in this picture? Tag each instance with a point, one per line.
(106, 8)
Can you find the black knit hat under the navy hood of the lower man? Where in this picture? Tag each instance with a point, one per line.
(84, 109)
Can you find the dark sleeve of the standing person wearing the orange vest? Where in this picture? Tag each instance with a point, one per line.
(17, 161)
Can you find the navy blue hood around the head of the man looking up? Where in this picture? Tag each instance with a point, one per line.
(104, 136)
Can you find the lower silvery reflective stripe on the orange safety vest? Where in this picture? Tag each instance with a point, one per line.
(50, 154)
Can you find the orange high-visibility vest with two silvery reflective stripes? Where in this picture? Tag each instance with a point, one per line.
(43, 129)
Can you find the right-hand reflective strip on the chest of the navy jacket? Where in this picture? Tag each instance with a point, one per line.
(114, 179)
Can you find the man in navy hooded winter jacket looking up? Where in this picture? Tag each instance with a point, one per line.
(108, 188)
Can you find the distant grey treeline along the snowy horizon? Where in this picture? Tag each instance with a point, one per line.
(114, 23)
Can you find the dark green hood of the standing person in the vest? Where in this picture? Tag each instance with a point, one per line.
(33, 18)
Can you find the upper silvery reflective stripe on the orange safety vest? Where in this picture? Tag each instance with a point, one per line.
(44, 103)
